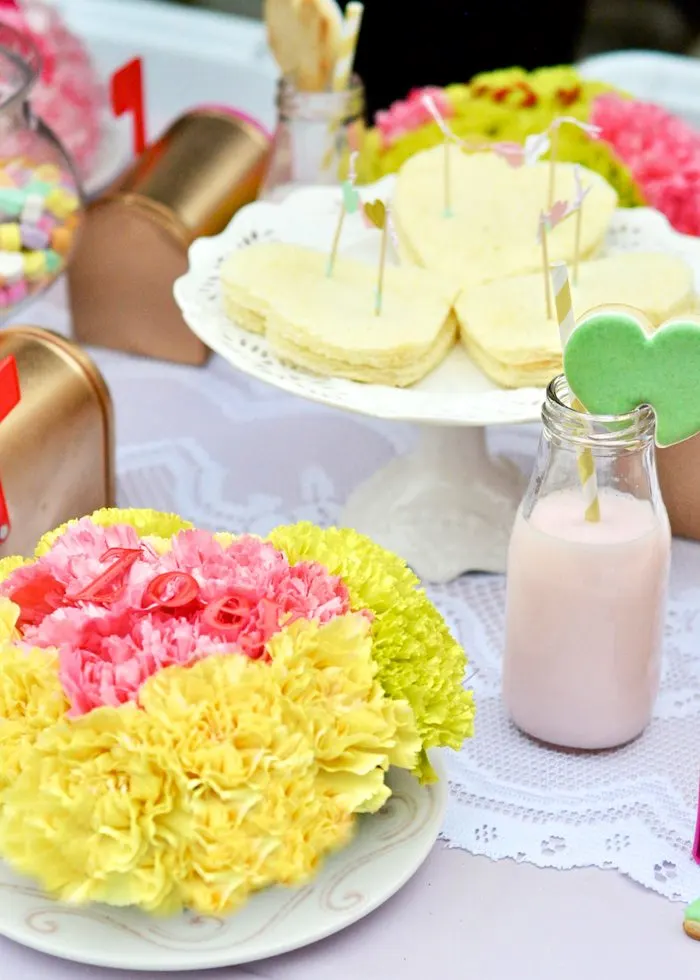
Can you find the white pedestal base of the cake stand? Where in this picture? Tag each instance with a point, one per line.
(447, 507)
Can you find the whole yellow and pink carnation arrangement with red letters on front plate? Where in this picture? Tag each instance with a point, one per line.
(188, 717)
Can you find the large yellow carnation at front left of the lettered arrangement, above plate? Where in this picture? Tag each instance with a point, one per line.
(97, 813)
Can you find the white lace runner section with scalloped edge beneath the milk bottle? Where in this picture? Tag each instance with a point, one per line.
(632, 809)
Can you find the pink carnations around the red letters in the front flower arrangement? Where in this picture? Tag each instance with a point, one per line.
(107, 649)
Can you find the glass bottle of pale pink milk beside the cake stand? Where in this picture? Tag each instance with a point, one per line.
(586, 600)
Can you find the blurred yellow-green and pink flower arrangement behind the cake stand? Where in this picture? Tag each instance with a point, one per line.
(646, 153)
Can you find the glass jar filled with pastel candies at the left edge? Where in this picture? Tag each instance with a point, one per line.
(40, 196)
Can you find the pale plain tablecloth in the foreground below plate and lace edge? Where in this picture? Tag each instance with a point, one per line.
(467, 918)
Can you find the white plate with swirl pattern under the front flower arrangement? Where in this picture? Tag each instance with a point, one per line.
(389, 848)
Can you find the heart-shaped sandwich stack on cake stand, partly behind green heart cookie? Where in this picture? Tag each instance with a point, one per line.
(506, 331)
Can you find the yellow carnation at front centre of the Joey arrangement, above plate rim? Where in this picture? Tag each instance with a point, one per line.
(261, 814)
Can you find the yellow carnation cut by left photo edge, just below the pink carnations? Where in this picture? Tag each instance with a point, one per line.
(31, 700)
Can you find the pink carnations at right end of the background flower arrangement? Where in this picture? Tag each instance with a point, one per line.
(662, 153)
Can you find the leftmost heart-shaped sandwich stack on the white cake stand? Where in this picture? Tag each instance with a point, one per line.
(328, 325)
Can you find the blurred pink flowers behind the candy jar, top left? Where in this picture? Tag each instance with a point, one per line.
(69, 96)
